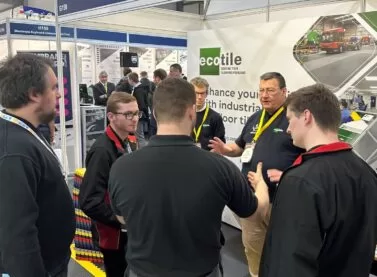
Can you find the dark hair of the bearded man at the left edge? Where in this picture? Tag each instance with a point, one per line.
(19, 76)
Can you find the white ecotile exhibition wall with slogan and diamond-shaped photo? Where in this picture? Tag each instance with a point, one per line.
(232, 60)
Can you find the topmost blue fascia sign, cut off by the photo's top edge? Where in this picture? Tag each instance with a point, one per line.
(71, 6)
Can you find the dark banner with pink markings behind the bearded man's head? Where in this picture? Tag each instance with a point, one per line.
(66, 80)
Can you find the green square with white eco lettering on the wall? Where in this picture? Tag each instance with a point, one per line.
(210, 61)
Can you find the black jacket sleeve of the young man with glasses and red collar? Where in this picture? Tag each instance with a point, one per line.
(94, 187)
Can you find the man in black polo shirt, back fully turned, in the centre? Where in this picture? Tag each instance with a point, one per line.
(173, 213)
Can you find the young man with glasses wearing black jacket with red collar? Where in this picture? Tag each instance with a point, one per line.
(123, 115)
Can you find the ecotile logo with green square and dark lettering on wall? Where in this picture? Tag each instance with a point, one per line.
(214, 62)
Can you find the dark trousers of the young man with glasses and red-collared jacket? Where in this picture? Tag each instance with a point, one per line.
(115, 260)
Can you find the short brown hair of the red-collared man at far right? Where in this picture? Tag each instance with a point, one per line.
(320, 101)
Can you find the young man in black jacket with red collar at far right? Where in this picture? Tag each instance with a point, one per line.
(324, 216)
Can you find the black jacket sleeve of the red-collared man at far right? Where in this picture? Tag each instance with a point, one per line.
(295, 236)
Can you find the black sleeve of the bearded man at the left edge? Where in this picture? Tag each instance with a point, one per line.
(19, 243)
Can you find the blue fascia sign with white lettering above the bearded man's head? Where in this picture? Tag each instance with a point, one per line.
(39, 30)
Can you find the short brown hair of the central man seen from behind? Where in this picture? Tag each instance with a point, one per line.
(172, 98)
